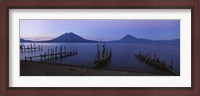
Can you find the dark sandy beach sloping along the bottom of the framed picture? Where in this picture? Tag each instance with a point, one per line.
(34, 68)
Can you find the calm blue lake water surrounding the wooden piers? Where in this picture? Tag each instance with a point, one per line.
(122, 55)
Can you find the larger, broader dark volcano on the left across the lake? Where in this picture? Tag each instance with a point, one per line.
(71, 37)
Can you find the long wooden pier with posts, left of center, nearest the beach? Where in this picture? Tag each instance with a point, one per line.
(53, 54)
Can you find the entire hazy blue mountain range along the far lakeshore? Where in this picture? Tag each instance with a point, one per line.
(74, 38)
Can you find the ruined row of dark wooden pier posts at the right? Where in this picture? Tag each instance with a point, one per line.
(156, 62)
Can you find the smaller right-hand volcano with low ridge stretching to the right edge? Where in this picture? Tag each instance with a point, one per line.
(131, 39)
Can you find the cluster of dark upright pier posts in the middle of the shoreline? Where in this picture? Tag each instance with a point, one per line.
(104, 58)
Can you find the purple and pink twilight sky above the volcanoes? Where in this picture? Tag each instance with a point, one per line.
(104, 30)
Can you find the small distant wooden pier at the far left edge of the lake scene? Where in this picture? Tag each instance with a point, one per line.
(30, 48)
